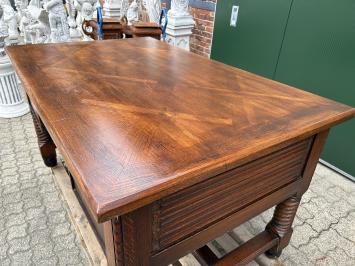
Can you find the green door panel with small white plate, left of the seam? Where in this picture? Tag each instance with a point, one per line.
(254, 44)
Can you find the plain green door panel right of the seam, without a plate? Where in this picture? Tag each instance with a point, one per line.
(318, 55)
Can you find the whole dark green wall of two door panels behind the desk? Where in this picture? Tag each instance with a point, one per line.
(315, 52)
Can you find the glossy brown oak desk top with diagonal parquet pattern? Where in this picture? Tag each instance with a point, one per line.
(137, 119)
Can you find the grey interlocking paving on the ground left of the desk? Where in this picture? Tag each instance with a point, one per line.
(31, 210)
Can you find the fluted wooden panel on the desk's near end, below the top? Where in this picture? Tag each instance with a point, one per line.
(190, 210)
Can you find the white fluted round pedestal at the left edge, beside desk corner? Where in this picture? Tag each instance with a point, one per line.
(12, 103)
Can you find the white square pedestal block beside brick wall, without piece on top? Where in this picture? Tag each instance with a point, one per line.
(178, 30)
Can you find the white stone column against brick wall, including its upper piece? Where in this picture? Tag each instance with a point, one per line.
(180, 24)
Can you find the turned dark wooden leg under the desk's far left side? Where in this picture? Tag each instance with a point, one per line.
(45, 142)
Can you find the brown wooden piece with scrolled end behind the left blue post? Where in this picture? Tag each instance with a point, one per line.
(112, 29)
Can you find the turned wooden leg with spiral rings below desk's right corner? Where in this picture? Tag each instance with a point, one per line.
(281, 224)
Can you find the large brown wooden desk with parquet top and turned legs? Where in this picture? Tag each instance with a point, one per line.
(171, 150)
